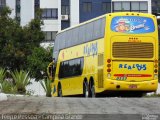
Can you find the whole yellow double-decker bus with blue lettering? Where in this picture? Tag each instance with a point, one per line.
(116, 52)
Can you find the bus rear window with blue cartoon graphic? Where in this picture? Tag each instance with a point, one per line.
(132, 24)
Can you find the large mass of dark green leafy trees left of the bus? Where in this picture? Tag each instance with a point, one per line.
(20, 46)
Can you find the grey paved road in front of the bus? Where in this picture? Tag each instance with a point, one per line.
(84, 108)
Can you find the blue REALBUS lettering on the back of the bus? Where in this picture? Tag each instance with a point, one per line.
(139, 67)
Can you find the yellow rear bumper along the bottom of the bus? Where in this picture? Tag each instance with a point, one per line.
(146, 86)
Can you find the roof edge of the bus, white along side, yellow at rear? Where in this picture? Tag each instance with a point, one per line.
(115, 14)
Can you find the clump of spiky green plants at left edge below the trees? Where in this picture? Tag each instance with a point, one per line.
(16, 83)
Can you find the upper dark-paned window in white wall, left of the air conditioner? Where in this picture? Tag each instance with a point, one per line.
(50, 14)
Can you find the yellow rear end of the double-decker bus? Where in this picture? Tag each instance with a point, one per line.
(131, 52)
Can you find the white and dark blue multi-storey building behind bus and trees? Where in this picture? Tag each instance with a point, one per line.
(59, 14)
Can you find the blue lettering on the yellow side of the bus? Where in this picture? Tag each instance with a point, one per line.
(91, 49)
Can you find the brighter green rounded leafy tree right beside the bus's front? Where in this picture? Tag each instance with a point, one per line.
(38, 61)
